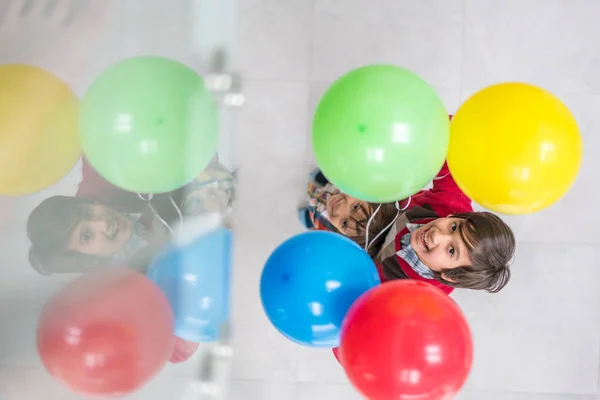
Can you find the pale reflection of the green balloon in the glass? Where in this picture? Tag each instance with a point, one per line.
(149, 125)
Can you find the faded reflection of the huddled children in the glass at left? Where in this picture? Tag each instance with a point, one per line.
(105, 225)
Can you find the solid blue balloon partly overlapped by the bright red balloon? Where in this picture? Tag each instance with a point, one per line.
(310, 281)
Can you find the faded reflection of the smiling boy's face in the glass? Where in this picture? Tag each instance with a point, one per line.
(101, 231)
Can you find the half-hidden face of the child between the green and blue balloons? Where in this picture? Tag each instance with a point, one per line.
(344, 211)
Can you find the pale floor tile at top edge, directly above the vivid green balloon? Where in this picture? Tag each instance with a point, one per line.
(424, 36)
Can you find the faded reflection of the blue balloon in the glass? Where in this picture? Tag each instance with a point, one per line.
(195, 279)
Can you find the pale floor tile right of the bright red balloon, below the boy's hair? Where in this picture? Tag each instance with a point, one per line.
(540, 334)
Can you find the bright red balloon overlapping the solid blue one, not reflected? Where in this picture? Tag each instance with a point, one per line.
(406, 340)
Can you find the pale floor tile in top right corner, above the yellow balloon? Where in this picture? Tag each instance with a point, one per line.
(550, 43)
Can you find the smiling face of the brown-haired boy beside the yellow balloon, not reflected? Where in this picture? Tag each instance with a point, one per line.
(439, 244)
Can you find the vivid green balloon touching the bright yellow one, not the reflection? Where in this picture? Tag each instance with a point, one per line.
(380, 133)
